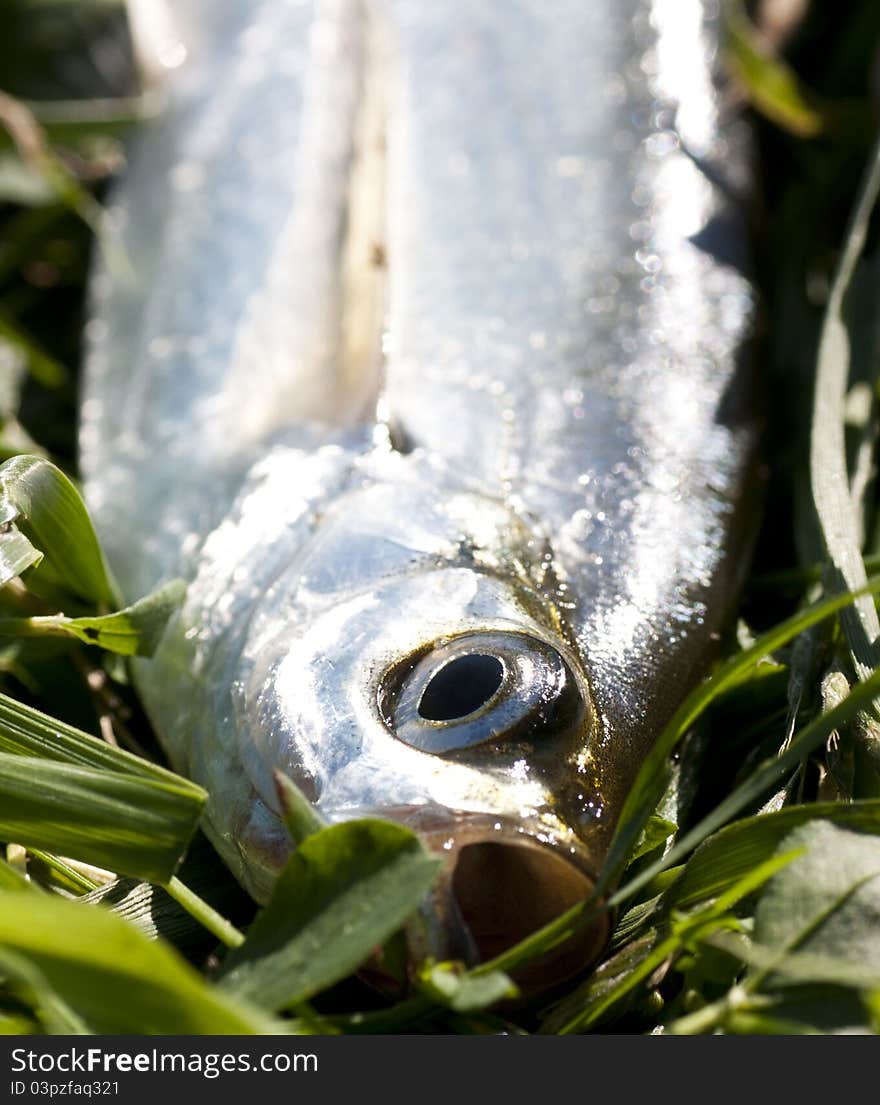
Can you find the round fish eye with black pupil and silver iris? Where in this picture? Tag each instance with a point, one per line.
(477, 689)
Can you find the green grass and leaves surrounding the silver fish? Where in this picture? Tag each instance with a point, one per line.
(751, 840)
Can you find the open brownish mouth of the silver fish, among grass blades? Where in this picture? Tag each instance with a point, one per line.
(499, 885)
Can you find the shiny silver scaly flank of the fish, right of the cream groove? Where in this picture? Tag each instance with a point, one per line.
(595, 317)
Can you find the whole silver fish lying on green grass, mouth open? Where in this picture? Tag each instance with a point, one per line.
(433, 377)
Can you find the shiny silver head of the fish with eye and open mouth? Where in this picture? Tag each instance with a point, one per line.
(413, 664)
